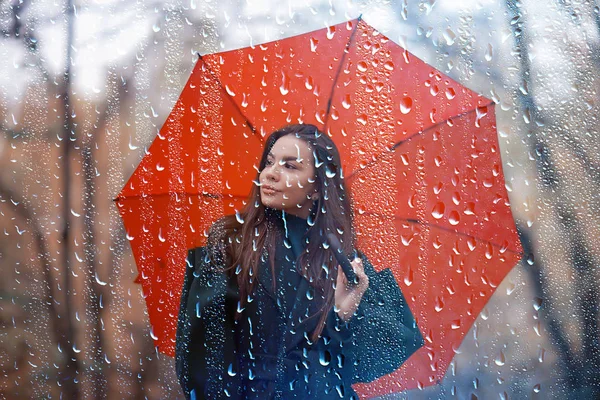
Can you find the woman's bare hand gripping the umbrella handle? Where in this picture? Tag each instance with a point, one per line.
(347, 298)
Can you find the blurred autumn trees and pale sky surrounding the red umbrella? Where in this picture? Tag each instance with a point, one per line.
(85, 86)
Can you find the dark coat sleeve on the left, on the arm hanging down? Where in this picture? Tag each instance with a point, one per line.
(206, 355)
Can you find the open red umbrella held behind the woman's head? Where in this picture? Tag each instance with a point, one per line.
(420, 154)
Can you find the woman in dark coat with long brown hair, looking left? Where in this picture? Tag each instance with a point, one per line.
(266, 312)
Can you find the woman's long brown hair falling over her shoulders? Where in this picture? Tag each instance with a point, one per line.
(244, 236)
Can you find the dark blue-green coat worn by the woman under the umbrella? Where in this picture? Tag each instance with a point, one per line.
(267, 353)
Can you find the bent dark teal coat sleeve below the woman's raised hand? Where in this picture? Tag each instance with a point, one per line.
(384, 331)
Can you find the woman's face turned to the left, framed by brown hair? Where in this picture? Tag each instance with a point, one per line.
(287, 182)
